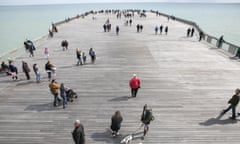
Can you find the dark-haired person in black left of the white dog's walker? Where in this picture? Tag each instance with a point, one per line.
(116, 123)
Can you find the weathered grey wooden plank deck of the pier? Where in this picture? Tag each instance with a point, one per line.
(185, 82)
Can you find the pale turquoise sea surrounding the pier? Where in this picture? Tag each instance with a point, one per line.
(30, 22)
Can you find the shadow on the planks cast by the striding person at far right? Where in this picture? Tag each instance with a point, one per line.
(217, 120)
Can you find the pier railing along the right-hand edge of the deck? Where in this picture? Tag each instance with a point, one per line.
(213, 41)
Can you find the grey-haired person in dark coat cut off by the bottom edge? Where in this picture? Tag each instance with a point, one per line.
(78, 134)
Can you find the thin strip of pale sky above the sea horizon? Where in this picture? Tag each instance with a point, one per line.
(33, 2)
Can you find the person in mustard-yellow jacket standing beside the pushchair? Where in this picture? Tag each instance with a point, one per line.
(54, 87)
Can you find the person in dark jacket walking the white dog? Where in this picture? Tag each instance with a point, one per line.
(146, 118)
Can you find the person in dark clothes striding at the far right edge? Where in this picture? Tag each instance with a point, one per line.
(233, 103)
